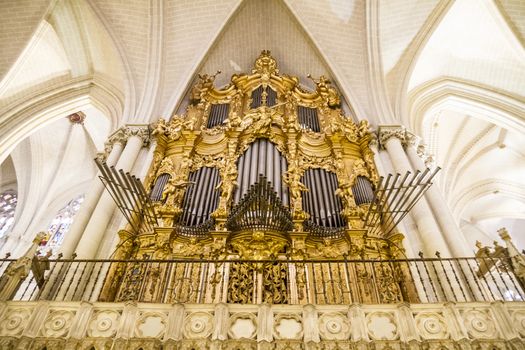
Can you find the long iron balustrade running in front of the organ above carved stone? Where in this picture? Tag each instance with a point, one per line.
(287, 281)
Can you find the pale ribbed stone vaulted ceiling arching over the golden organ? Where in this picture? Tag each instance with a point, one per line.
(450, 71)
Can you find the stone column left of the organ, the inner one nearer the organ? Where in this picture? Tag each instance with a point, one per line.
(94, 232)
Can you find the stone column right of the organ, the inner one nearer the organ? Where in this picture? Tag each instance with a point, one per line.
(392, 139)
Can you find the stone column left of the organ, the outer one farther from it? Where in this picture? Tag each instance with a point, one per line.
(113, 150)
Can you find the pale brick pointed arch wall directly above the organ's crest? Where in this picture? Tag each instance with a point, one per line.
(296, 53)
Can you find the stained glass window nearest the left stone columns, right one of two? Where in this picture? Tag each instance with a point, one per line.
(60, 225)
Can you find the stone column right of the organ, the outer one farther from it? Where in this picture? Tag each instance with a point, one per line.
(451, 231)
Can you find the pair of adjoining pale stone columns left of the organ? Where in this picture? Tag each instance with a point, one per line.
(87, 231)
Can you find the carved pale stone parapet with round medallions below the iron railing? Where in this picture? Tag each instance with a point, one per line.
(236, 326)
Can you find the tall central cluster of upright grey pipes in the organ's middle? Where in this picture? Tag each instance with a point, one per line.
(261, 158)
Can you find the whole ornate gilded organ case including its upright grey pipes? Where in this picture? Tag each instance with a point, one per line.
(261, 169)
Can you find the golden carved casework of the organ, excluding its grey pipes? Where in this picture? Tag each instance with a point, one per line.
(185, 144)
